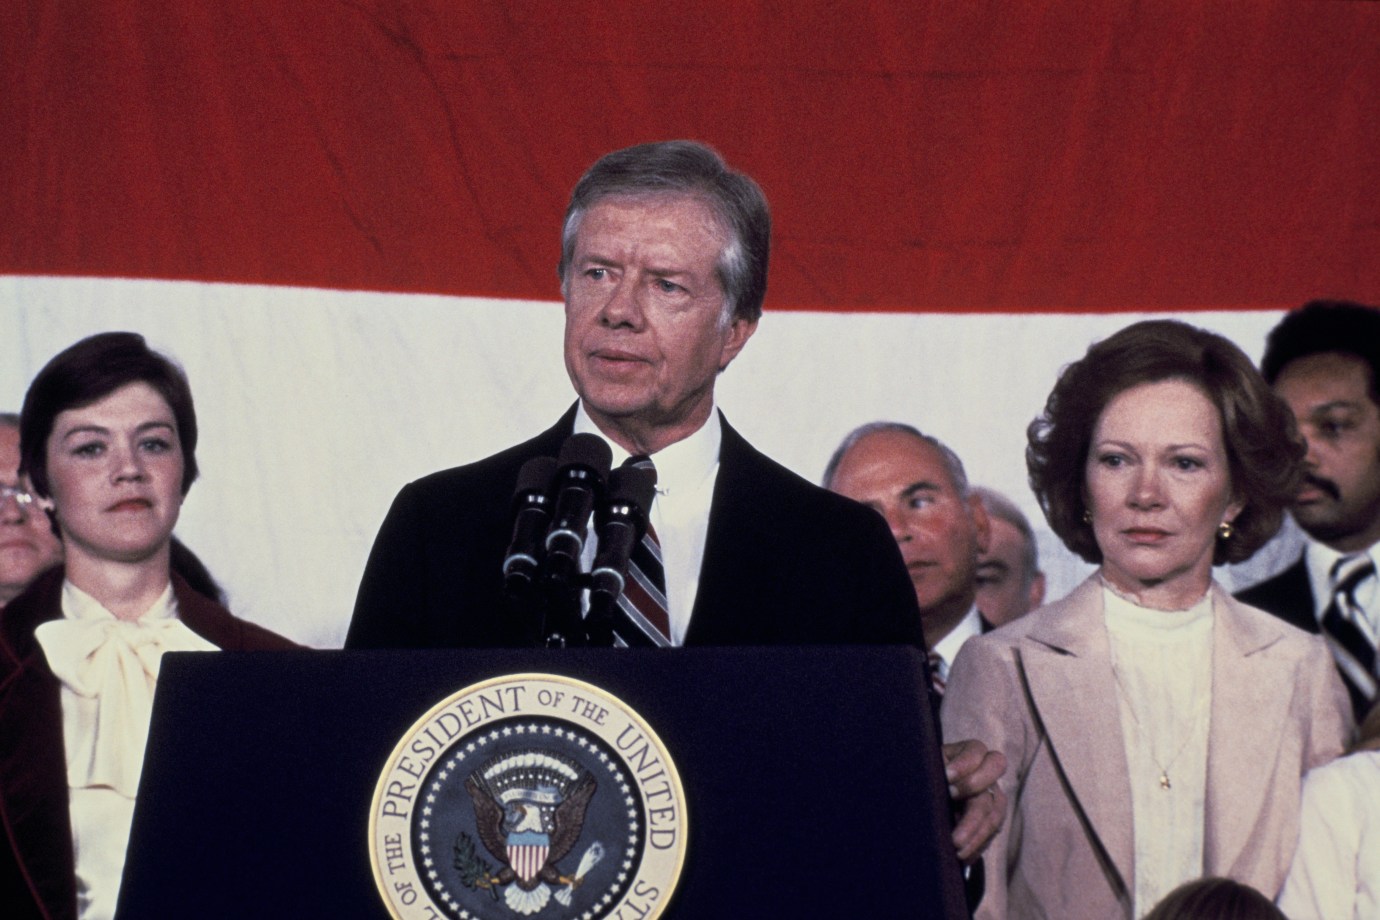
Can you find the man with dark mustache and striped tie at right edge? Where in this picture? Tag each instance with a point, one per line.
(1324, 361)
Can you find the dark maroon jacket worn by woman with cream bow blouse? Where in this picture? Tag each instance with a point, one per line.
(37, 864)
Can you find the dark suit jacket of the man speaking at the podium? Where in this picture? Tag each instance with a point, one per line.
(786, 562)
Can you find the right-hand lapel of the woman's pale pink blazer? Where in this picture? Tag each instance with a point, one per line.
(1245, 681)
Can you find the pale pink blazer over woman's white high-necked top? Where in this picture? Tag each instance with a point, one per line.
(1041, 690)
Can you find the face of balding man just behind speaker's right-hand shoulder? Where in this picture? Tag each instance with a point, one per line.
(939, 530)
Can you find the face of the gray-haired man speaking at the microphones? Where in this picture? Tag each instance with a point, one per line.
(645, 330)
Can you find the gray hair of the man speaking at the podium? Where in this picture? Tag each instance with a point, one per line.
(687, 168)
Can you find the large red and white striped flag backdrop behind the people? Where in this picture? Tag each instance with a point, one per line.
(343, 219)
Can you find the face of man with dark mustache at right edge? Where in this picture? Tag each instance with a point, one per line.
(1331, 399)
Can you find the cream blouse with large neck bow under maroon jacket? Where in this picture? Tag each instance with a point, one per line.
(108, 670)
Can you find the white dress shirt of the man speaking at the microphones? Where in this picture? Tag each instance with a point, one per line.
(687, 474)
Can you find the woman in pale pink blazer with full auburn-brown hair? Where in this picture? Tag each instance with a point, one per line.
(1156, 730)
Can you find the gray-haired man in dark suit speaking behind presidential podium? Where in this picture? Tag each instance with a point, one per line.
(664, 267)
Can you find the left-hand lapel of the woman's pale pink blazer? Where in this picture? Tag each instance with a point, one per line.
(1067, 668)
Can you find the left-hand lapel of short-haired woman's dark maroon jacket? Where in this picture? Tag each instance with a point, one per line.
(34, 773)
